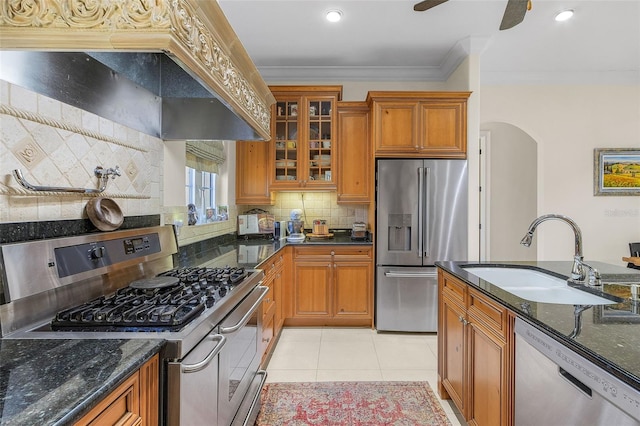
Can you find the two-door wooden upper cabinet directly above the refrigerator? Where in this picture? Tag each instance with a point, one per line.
(419, 124)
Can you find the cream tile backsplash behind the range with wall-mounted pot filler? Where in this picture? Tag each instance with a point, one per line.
(57, 145)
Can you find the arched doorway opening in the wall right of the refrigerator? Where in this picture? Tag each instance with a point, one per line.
(508, 198)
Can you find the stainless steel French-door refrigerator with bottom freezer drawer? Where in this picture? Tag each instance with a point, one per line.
(421, 217)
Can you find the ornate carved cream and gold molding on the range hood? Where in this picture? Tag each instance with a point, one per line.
(194, 34)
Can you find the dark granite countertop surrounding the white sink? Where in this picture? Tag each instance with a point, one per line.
(610, 334)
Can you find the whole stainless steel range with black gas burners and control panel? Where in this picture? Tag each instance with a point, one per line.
(124, 285)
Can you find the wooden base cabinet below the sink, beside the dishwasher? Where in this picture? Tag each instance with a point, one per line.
(475, 353)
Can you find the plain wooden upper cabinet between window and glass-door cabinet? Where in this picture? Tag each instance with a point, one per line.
(252, 173)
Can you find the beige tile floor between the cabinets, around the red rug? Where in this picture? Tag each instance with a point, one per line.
(356, 354)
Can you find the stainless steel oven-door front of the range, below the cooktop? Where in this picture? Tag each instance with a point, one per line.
(212, 381)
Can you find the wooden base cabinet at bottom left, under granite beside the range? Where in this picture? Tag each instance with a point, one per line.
(134, 402)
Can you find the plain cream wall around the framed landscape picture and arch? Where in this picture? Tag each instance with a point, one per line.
(568, 122)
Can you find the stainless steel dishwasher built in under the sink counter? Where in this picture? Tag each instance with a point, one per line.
(556, 386)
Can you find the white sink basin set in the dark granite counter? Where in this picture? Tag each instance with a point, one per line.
(535, 285)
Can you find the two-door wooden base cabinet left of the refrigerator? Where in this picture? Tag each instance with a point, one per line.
(332, 285)
